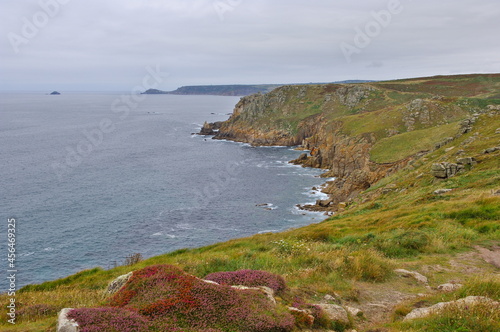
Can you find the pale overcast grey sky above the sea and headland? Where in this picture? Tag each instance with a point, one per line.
(115, 45)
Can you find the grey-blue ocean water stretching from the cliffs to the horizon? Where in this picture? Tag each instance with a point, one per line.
(94, 178)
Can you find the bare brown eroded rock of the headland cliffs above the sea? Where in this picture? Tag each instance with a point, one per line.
(347, 158)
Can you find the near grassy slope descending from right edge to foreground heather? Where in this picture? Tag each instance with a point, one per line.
(351, 254)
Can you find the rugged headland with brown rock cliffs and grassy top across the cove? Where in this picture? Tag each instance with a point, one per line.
(360, 133)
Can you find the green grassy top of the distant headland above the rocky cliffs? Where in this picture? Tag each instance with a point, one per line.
(449, 99)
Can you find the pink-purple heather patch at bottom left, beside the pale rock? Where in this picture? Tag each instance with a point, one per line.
(108, 320)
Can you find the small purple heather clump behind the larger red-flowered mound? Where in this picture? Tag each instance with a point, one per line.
(249, 278)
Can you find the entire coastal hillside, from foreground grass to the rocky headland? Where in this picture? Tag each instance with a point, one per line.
(418, 163)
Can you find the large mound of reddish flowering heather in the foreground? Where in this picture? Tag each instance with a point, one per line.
(168, 295)
